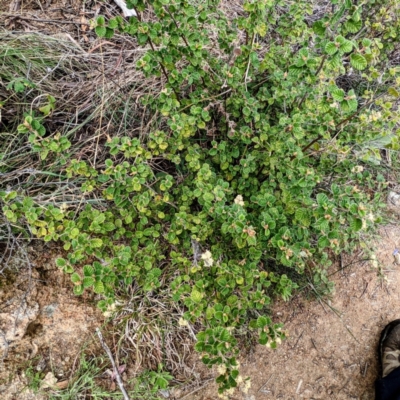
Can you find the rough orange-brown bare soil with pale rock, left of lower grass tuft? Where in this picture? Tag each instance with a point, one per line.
(43, 325)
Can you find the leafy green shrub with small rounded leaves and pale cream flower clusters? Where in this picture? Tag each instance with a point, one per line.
(262, 156)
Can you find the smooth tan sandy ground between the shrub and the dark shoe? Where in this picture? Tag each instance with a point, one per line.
(331, 349)
